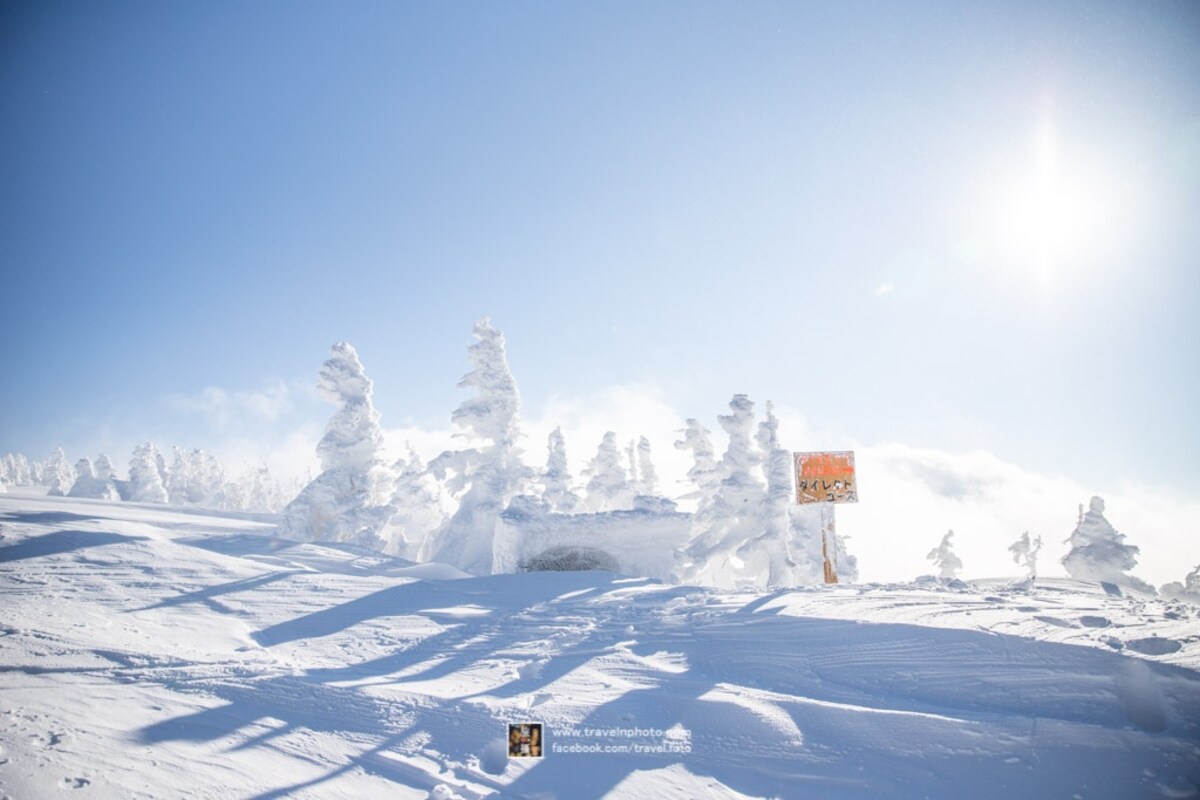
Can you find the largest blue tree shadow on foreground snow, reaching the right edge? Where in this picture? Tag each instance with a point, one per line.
(776, 705)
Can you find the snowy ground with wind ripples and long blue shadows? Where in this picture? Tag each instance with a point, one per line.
(159, 653)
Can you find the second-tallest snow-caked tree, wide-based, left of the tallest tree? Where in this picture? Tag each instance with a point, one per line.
(343, 504)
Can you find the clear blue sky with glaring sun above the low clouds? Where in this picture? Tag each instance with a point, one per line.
(819, 204)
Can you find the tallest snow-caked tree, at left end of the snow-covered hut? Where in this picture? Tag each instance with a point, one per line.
(489, 476)
